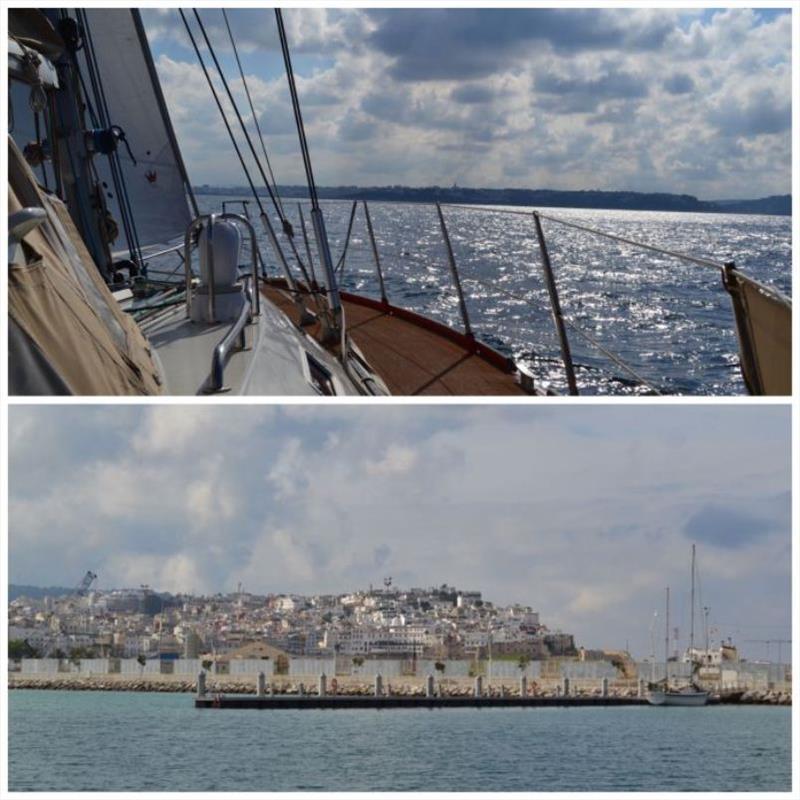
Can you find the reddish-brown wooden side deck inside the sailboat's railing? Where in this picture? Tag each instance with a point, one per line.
(412, 354)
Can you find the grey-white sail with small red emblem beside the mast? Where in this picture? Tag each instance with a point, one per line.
(156, 184)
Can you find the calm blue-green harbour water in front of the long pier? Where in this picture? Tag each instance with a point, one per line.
(129, 742)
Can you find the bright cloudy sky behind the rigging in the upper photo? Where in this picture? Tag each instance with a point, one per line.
(649, 100)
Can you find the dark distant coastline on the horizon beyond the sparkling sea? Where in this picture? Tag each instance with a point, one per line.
(779, 205)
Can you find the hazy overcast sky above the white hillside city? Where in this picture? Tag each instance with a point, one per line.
(584, 513)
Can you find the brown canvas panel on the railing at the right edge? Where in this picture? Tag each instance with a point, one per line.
(764, 327)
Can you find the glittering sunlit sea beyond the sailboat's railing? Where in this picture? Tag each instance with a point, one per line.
(671, 322)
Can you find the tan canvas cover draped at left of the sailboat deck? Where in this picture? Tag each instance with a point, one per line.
(66, 332)
